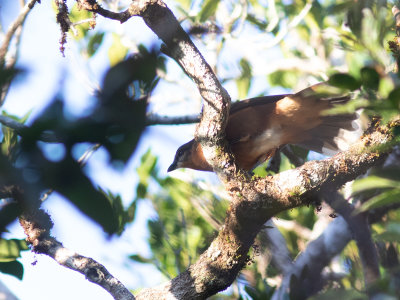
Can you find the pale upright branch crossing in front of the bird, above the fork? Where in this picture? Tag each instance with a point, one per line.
(159, 18)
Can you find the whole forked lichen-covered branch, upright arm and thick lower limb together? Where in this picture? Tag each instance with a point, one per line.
(253, 201)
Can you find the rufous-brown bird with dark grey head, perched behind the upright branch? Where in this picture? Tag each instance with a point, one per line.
(258, 127)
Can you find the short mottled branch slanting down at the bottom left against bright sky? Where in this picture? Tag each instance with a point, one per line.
(37, 224)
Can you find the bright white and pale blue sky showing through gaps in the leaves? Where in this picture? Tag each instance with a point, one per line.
(49, 73)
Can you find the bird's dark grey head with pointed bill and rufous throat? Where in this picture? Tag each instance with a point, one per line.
(190, 155)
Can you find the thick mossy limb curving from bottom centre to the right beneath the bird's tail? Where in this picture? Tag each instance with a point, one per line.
(256, 201)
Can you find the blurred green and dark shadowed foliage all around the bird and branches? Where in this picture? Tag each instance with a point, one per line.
(350, 44)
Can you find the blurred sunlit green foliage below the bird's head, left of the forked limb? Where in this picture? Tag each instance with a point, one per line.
(186, 214)
